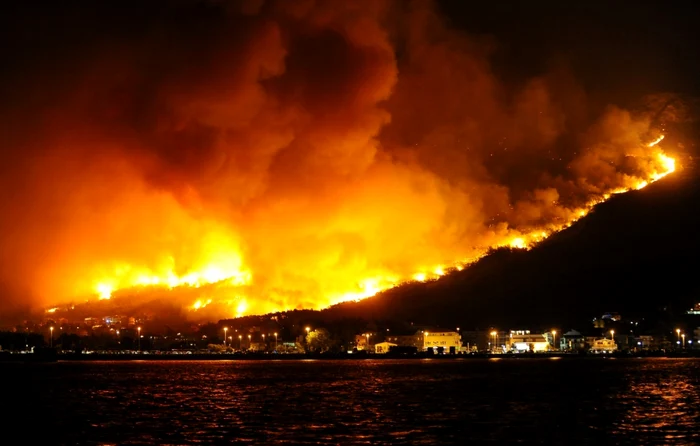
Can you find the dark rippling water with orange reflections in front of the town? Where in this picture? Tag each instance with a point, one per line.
(430, 402)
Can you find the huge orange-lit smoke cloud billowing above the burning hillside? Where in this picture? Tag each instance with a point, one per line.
(295, 153)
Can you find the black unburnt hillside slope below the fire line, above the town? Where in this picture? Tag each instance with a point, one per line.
(635, 254)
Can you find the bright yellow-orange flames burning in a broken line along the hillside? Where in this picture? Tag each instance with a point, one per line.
(223, 265)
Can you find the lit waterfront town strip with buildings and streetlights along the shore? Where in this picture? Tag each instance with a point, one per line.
(288, 334)
